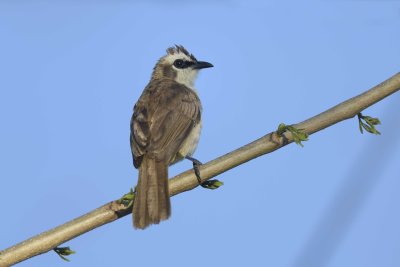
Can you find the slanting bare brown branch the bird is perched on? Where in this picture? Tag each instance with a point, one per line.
(186, 181)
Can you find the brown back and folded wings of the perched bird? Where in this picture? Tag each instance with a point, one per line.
(162, 119)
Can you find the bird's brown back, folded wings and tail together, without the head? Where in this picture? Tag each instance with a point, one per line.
(163, 118)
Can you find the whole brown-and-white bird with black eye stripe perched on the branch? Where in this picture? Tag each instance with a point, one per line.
(165, 128)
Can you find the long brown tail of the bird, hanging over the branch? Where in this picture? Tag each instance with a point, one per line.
(151, 204)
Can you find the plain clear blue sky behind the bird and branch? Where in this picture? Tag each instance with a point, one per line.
(72, 71)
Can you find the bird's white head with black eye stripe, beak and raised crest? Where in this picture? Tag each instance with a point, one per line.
(179, 65)
